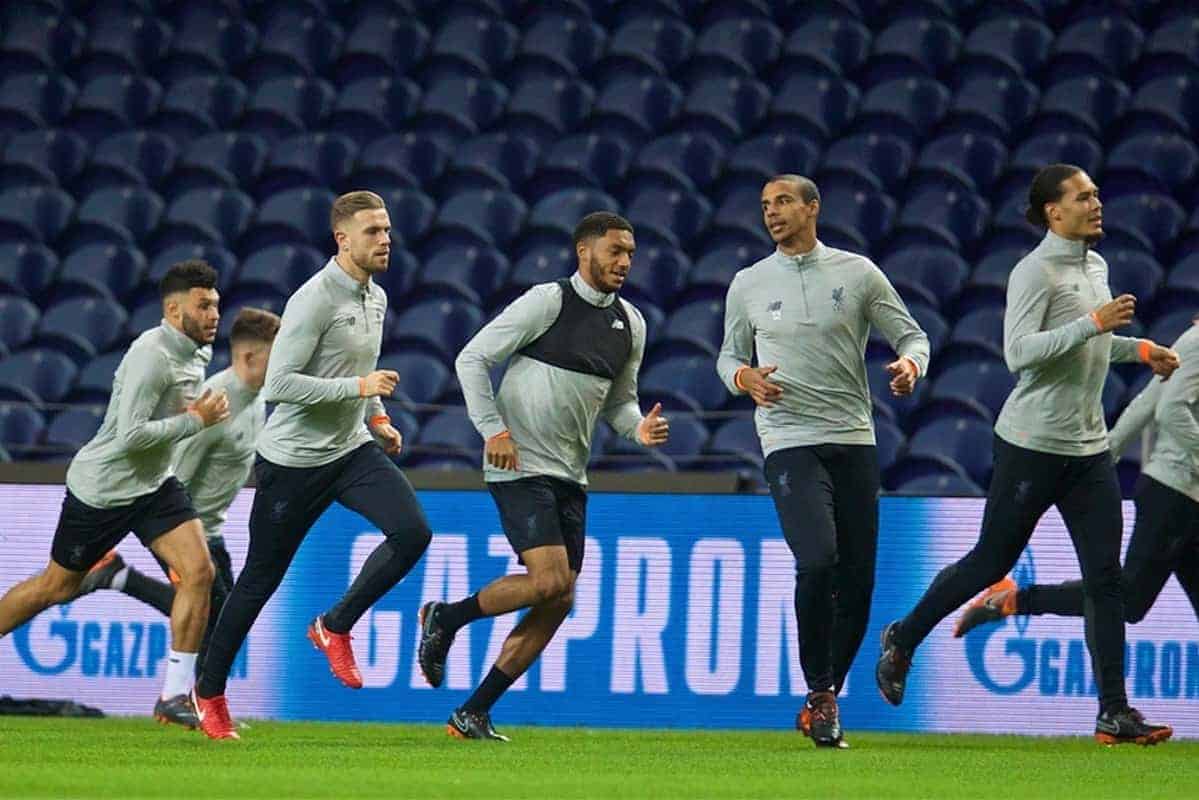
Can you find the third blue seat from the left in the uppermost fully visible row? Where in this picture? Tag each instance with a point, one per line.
(209, 44)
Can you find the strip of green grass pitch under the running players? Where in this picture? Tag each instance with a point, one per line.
(136, 759)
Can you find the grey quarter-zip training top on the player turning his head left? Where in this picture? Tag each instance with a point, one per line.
(811, 316)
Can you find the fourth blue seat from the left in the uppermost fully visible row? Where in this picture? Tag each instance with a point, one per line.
(294, 47)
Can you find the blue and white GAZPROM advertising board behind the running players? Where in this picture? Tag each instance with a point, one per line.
(684, 618)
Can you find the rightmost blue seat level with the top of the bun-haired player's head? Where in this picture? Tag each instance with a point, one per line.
(1158, 164)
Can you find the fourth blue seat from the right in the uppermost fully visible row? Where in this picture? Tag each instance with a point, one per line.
(913, 47)
